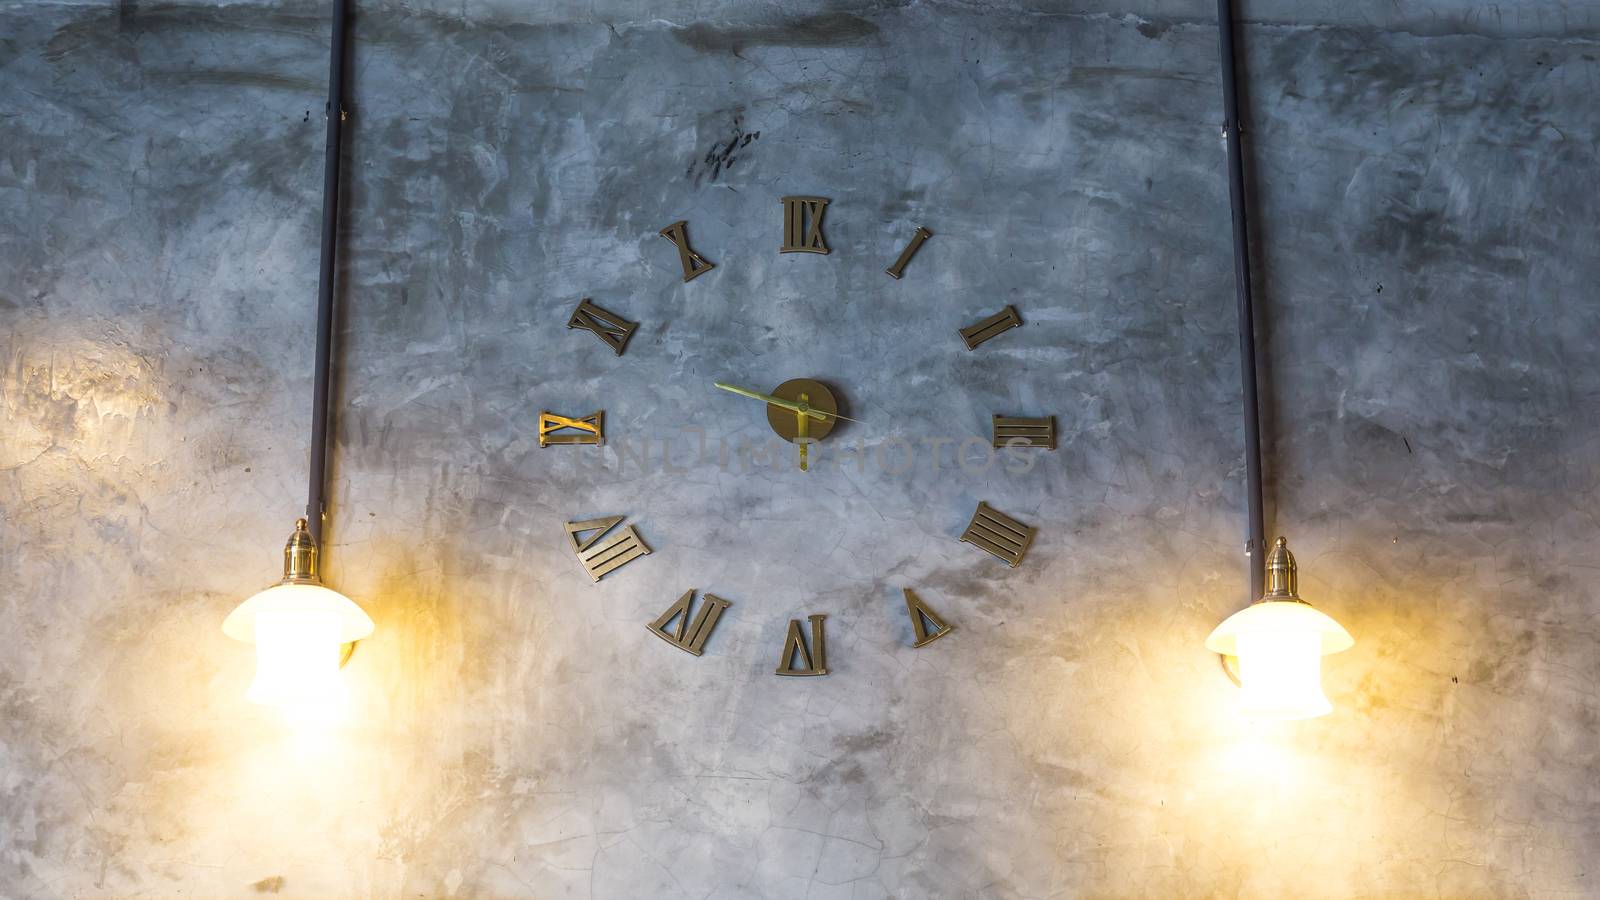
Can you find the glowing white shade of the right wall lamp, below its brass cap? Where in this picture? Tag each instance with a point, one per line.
(1281, 646)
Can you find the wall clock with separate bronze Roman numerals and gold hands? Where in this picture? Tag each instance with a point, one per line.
(802, 412)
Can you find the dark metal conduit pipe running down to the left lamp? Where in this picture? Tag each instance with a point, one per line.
(326, 284)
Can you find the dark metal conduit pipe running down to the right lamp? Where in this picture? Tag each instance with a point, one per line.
(1247, 311)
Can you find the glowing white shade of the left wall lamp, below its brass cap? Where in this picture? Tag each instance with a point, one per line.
(298, 632)
